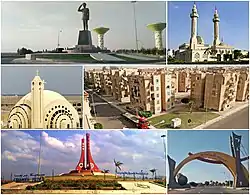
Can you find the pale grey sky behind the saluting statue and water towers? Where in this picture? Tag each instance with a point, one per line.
(36, 25)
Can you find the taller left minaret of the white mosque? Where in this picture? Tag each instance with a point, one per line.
(194, 18)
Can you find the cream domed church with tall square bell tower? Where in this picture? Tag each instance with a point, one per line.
(43, 109)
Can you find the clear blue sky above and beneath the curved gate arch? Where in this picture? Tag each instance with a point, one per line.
(181, 142)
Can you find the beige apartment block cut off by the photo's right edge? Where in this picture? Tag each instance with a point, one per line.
(243, 87)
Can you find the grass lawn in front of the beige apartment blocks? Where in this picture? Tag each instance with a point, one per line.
(197, 118)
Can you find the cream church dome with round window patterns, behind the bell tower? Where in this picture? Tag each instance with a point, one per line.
(56, 112)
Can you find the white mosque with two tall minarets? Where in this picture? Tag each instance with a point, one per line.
(197, 51)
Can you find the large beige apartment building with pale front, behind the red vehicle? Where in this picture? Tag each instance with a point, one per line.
(151, 92)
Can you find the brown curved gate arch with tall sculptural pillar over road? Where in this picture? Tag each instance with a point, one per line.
(232, 163)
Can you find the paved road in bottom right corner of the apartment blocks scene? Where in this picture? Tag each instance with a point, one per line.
(238, 120)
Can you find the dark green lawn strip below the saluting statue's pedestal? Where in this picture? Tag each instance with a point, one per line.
(85, 57)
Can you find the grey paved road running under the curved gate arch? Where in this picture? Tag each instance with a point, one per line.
(210, 190)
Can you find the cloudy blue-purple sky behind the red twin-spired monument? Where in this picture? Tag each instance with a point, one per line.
(138, 150)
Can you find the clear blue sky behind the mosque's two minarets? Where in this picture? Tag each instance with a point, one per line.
(234, 22)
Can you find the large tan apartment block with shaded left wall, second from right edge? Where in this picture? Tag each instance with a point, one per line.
(220, 90)
